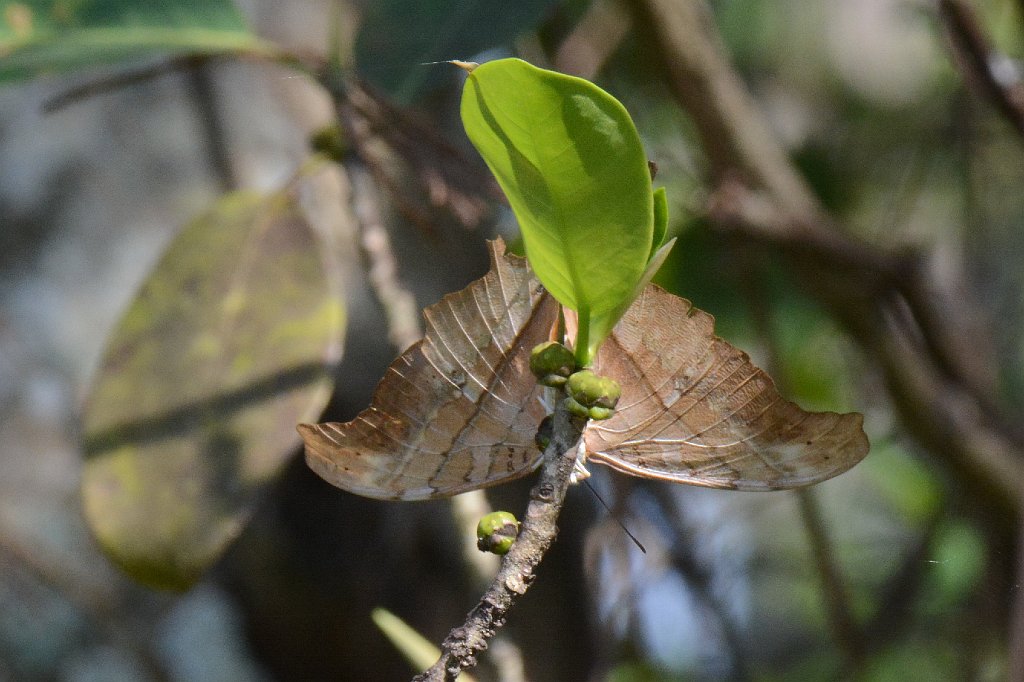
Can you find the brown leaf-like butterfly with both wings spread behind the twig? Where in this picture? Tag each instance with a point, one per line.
(460, 410)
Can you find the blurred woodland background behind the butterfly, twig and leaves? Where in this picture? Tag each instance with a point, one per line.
(845, 180)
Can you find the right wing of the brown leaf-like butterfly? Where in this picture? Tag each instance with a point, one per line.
(695, 410)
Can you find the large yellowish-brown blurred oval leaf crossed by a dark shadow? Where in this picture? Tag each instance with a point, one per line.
(230, 344)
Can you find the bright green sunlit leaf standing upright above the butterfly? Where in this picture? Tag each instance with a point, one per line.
(571, 162)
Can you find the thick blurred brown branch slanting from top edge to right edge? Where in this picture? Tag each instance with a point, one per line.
(906, 321)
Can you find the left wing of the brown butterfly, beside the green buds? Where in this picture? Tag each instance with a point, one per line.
(459, 410)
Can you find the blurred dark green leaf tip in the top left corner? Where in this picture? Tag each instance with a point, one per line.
(40, 37)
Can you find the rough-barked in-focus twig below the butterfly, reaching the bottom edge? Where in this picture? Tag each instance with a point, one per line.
(517, 573)
